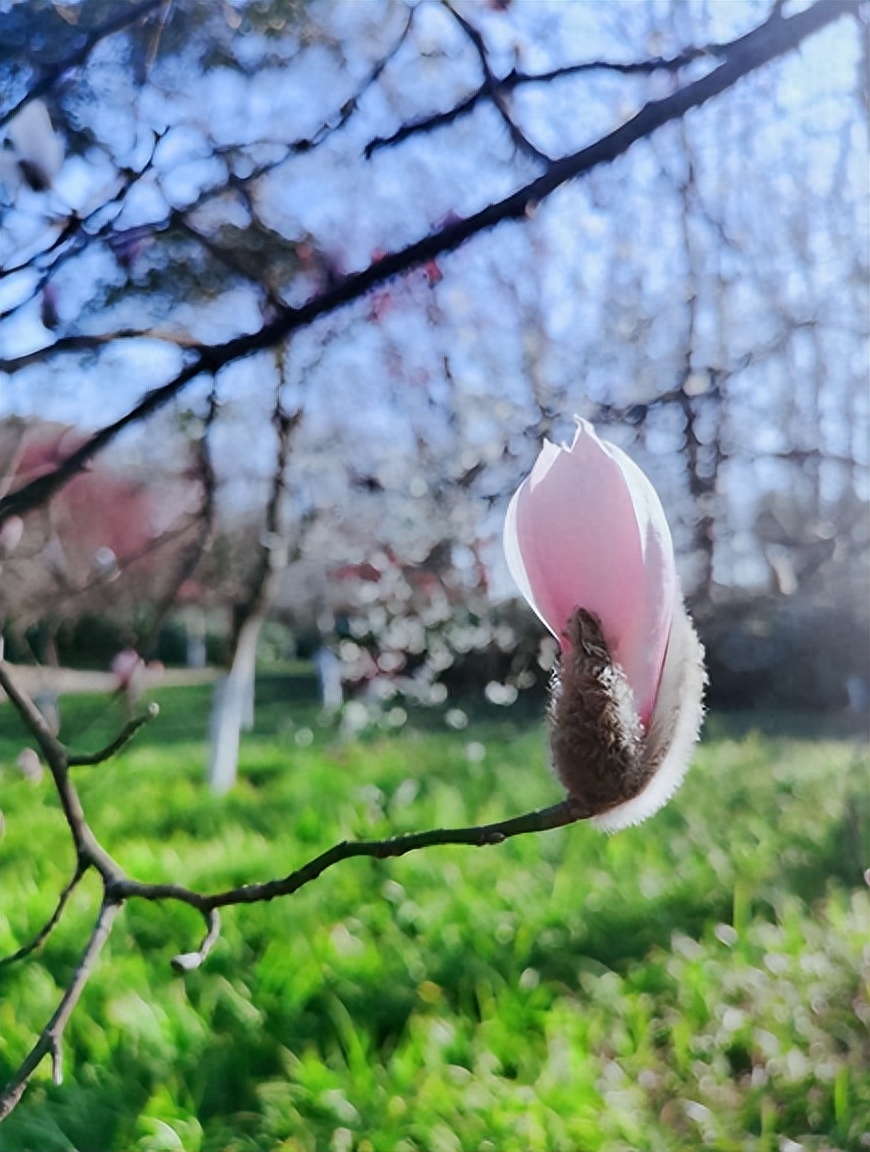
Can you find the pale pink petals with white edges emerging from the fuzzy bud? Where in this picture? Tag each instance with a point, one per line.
(587, 529)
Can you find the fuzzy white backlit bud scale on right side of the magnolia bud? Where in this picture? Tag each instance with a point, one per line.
(678, 717)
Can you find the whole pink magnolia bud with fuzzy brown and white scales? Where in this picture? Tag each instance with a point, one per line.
(587, 542)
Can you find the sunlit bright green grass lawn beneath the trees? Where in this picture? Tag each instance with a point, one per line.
(695, 983)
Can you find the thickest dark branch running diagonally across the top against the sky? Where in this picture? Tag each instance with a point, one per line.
(768, 42)
